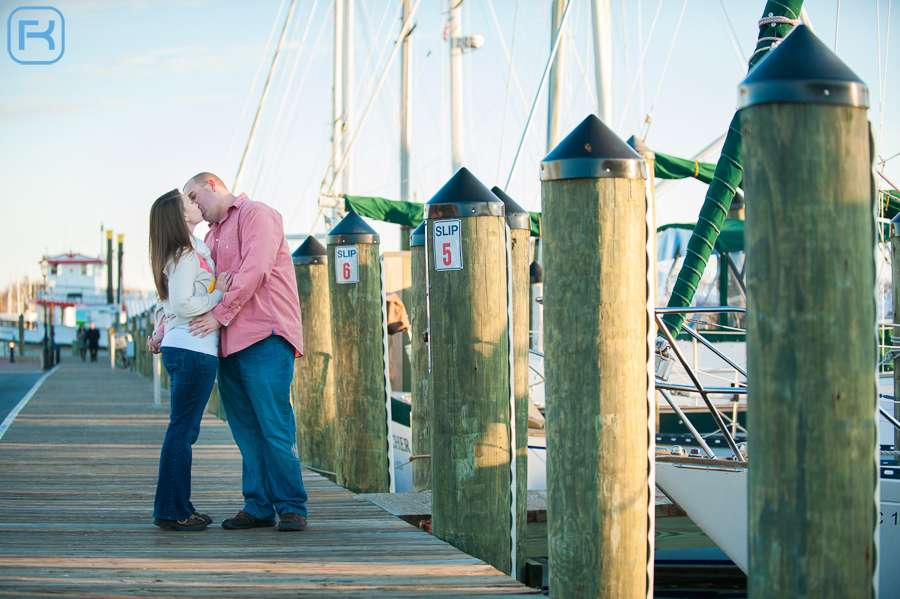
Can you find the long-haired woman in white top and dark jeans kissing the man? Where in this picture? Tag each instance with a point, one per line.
(186, 283)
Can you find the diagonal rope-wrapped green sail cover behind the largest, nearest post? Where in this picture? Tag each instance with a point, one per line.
(725, 181)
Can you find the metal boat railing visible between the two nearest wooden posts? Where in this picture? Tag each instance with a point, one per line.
(698, 386)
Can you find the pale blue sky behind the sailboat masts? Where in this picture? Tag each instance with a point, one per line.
(147, 93)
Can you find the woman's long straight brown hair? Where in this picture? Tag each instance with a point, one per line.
(169, 237)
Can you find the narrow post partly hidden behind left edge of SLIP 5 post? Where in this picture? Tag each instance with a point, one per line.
(420, 419)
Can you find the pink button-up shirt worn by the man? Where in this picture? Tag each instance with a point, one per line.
(249, 242)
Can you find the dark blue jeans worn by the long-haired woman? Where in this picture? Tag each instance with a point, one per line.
(192, 375)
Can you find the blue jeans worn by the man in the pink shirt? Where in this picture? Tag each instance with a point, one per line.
(255, 386)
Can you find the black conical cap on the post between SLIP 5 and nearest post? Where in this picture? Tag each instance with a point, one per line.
(592, 151)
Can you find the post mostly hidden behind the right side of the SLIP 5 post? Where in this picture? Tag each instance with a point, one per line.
(519, 222)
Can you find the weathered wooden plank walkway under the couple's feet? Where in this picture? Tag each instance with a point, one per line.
(77, 479)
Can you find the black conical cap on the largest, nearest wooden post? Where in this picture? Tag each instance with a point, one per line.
(801, 69)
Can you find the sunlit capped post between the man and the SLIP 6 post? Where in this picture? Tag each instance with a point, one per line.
(313, 384)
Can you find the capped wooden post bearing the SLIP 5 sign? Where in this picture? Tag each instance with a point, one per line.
(470, 386)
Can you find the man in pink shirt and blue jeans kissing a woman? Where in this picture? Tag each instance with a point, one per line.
(260, 335)
